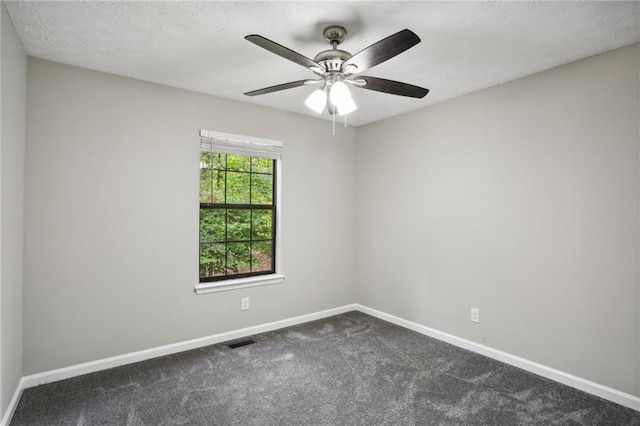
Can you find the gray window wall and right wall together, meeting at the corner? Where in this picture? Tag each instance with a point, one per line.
(521, 200)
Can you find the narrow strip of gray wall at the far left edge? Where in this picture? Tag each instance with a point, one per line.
(13, 72)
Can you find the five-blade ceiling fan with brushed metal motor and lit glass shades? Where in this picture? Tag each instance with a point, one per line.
(336, 67)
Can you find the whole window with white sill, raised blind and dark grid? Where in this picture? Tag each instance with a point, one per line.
(239, 210)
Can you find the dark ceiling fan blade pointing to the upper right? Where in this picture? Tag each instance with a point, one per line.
(383, 50)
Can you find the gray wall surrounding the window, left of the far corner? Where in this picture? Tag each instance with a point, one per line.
(111, 235)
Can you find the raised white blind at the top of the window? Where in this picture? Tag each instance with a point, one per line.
(229, 143)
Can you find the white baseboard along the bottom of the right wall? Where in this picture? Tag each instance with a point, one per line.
(605, 392)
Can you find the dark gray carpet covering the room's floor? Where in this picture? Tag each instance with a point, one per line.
(351, 369)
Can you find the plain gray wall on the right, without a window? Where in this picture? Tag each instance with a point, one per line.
(520, 200)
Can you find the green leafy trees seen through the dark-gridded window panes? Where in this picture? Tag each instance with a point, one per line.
(235, 240)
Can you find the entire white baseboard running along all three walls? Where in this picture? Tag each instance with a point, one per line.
(605, 392)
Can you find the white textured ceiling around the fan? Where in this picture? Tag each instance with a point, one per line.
(200, 46)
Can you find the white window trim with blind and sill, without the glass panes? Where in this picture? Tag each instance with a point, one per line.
(247, 145)
